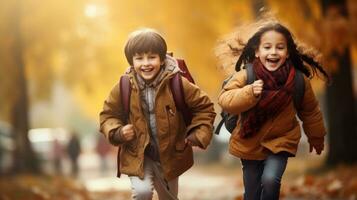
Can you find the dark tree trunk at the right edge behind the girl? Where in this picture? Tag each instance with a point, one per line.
(340, 105)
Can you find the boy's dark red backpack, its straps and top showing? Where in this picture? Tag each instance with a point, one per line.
(175, 86)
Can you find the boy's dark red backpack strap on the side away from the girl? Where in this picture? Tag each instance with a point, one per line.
(125, 92)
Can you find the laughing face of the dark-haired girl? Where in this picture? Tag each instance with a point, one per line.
(272, 50)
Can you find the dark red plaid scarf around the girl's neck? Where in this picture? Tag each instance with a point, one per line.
(276, 95)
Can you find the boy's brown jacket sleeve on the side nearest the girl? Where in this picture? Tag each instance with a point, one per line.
(201, 127)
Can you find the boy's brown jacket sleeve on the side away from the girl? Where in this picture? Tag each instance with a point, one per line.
(112, 117)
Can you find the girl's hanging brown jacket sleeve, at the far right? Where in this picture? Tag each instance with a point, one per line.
(311, 116)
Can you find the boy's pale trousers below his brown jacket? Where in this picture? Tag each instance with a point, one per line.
(142, 189)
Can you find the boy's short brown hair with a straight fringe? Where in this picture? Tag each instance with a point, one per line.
(144, 41)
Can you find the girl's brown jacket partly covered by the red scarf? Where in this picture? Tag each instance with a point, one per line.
(281, 133)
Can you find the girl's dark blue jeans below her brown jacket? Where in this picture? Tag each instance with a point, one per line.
(262, 178)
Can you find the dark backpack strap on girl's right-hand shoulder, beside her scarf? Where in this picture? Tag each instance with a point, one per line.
(299, 89)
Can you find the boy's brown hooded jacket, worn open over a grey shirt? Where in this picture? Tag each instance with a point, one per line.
(175, 156)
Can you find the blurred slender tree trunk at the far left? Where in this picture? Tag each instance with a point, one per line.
(24, 157)
